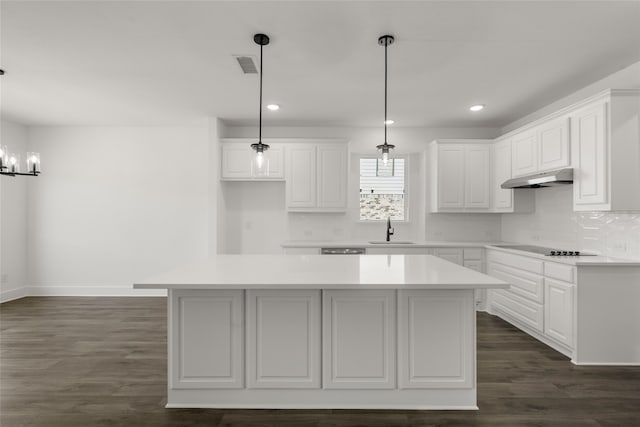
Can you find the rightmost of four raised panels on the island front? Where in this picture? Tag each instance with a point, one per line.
(436, 342)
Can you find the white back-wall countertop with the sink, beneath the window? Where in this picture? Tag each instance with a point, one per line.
(366, 244)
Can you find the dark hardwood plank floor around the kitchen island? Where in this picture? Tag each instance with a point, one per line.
(102, 362)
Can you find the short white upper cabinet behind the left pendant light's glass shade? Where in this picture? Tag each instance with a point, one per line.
(237, 156)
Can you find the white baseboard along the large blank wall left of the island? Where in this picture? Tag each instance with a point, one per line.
(93, 291)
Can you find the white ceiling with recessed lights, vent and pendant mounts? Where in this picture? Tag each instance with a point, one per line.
(160, 62)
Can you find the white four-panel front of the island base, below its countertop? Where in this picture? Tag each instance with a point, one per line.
(438, 327)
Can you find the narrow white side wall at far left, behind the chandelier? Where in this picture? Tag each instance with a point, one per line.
(13, 218)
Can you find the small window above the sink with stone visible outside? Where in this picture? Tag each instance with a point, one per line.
(382, 189)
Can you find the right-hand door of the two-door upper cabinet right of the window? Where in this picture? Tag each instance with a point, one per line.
(477, 171)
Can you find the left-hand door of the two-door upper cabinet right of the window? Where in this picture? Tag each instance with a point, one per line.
(451, 176)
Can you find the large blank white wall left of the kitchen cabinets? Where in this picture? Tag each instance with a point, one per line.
(115, 204)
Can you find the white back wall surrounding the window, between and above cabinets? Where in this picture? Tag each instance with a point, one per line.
(257, 221)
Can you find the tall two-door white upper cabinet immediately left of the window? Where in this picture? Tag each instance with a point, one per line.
(316, 178)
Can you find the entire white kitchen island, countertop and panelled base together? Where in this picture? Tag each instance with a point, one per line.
(312, 331)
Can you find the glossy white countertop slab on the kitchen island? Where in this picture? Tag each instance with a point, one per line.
(321, 272)
